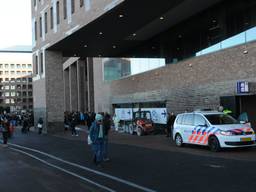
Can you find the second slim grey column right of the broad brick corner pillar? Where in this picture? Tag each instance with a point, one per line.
(73, 87)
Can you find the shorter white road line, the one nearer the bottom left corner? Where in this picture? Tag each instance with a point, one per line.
(64, 170)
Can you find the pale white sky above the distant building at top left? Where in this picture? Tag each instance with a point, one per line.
(15, 23)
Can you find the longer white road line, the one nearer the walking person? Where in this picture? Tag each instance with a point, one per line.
(88, 169)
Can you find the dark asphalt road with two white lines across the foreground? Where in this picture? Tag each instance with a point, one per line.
(150, 163)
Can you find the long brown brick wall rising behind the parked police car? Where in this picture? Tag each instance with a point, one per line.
(194, 83)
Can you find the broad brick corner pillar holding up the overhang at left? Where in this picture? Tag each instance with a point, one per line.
(51, 93)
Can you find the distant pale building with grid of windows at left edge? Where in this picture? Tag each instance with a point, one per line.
(16, 89)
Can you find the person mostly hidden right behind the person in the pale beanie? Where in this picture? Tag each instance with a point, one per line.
(106, 128)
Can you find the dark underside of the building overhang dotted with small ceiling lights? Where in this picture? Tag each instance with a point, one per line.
(129, 25)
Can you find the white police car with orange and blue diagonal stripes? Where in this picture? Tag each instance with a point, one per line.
(211, 128)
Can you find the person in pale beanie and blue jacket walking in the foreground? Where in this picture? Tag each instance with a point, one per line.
(97, 137)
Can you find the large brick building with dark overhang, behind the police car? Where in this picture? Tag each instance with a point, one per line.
(209, 48)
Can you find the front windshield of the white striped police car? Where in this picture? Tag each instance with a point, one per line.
(220, 119)
